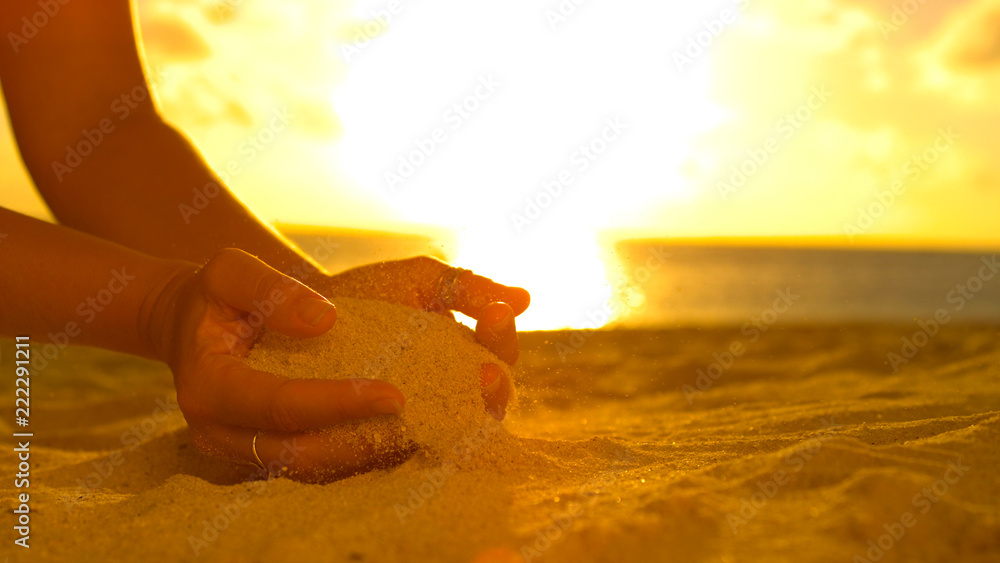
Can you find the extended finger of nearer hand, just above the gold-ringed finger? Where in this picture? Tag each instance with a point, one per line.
(238, 395)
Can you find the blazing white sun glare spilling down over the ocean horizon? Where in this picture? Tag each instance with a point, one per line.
(527, 150)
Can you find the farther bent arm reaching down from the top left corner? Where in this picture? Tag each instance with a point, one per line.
(81, 85)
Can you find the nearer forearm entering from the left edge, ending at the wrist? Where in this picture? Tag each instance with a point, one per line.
(66, 285)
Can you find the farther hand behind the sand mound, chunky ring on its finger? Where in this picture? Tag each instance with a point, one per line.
(429, 284)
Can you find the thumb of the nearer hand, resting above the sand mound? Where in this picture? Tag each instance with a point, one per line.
(239, 280)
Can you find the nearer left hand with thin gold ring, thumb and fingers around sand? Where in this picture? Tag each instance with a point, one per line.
(204, 322)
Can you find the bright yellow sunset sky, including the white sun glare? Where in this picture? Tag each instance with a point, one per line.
(530, 130)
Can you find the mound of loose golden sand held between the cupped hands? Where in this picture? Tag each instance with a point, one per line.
(432, 359)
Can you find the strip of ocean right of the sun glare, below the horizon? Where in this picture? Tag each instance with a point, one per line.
(725, 285)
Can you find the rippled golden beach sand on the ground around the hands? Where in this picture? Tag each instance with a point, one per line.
(807, 447)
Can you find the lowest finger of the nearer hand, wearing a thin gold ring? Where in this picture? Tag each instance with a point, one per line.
(318, 456)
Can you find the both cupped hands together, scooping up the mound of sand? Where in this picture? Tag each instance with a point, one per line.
(206, 319)
